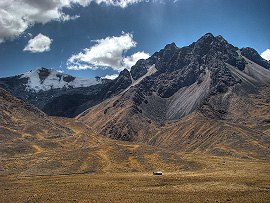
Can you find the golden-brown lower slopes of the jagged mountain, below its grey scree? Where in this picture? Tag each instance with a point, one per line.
(232, 124)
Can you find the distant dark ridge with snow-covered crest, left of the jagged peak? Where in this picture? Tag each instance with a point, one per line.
(48, 89)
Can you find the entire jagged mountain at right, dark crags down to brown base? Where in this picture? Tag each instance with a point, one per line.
(207, 97)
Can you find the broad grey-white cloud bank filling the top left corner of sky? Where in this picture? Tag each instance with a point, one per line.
(18, 15)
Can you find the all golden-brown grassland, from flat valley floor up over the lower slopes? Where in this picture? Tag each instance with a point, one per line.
(50, 159)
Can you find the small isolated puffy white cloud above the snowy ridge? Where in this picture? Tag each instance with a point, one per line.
(38, 44)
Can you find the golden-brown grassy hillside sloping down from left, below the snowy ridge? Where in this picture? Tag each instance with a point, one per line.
(34, 144)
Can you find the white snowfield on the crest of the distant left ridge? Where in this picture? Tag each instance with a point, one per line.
(55, 80)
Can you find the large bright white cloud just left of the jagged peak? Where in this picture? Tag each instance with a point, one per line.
(108, 52)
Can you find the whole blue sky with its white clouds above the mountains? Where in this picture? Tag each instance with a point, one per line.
(89, 38)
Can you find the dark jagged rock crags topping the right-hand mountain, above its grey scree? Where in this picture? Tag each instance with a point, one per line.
(180, 67)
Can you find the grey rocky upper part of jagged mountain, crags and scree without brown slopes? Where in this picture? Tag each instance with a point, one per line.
(210, 65)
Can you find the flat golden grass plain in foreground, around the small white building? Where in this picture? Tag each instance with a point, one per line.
(220, 180)
